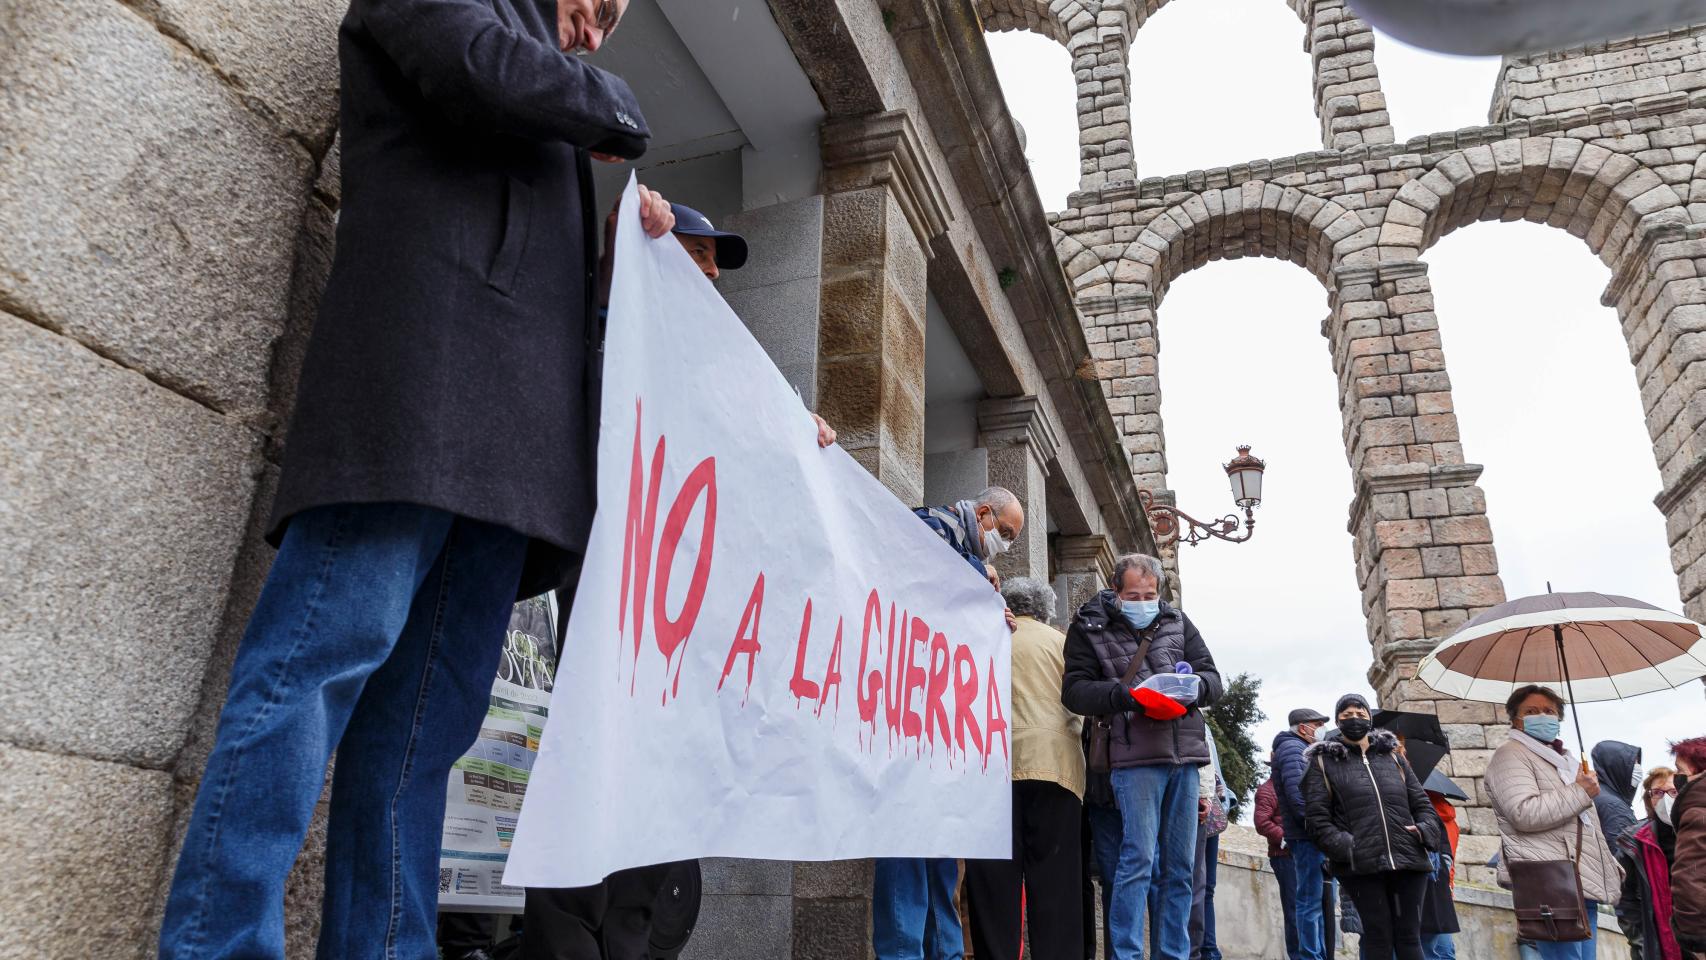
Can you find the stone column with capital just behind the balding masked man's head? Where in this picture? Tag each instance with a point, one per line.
(1021, 446)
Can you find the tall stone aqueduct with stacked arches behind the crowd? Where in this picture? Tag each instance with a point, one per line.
(1604, 142)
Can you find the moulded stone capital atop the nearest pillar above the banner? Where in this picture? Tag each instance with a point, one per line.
(885, 149)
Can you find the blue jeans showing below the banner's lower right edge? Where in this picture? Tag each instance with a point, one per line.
(912, 911)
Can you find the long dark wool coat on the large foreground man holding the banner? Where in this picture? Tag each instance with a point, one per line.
(455, 359)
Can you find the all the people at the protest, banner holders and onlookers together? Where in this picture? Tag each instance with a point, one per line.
(460, 335)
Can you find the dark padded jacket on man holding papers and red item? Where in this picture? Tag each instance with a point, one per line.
(1100, 649)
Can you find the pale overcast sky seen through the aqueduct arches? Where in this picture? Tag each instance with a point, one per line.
(1545, 391)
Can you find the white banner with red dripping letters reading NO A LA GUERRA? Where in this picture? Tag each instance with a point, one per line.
(769, 654)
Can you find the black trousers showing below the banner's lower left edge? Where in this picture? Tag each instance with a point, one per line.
(610, 922)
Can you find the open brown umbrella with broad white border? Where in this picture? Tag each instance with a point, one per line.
(1598, 645)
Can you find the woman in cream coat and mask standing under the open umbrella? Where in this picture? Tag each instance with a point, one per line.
(1541, 794)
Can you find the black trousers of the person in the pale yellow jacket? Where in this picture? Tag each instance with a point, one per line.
(1047, 870)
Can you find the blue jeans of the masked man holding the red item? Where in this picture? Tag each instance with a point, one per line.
(1158, 813)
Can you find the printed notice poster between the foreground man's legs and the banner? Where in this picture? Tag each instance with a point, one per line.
(489, 784)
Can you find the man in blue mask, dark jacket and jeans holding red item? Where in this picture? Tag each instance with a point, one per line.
(1154, 763)
